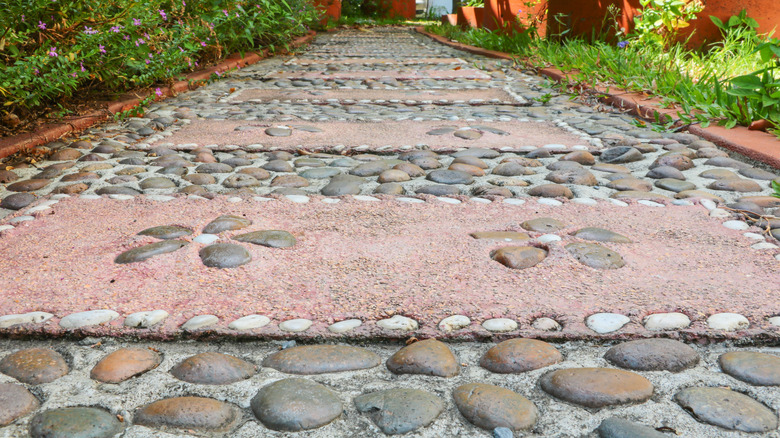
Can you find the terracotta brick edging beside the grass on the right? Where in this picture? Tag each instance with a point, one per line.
(757, 145)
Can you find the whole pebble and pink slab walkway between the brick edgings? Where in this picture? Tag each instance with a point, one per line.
(381, 188)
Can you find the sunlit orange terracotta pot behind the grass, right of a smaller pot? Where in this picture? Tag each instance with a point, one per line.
(513, 15)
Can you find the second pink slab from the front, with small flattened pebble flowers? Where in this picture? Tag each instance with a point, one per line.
(354, 134)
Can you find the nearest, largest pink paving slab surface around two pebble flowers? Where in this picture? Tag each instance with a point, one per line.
(368, 260)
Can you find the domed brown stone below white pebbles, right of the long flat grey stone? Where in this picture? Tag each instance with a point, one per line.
(429, 357)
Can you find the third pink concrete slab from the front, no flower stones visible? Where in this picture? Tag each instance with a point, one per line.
(265, 95)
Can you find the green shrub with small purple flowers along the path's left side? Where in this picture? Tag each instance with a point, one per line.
(51, 49)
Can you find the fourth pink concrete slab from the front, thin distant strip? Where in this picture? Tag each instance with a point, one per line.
(377, 74)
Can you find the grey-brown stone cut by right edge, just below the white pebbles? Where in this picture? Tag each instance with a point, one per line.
(759, 369)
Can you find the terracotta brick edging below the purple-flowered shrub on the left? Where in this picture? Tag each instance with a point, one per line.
(52, 131)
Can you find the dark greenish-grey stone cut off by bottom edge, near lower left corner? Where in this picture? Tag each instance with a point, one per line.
(80, 422)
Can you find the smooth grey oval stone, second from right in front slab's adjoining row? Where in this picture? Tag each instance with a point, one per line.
(653, 355)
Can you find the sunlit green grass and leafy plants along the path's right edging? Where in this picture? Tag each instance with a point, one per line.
(701, 85)
